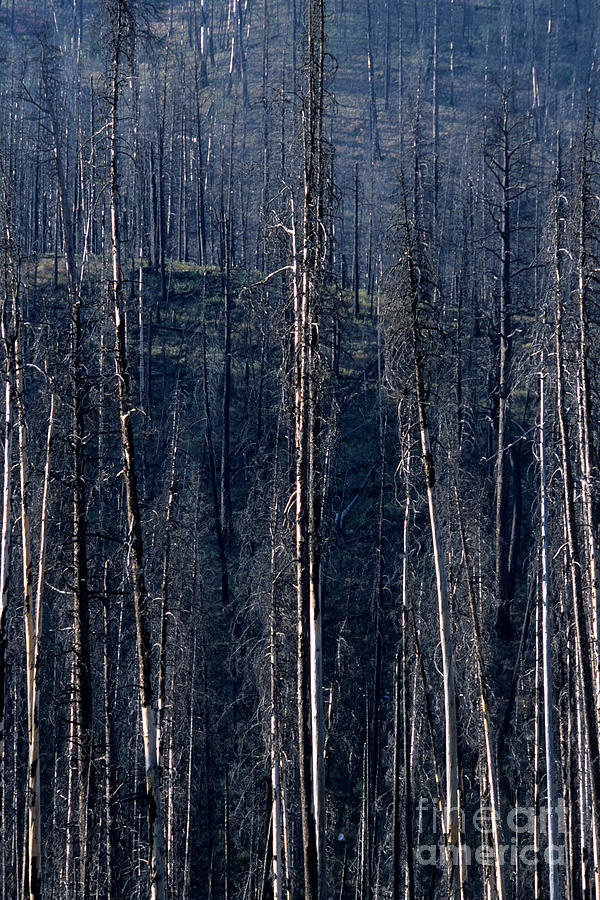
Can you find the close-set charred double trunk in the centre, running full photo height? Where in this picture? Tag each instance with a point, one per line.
(308, 465)
